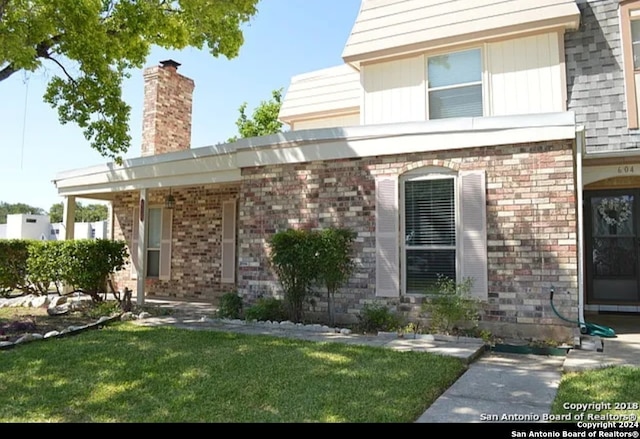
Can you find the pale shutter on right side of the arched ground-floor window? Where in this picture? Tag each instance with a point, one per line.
(473, 245)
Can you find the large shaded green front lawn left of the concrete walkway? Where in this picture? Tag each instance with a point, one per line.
(126, 373)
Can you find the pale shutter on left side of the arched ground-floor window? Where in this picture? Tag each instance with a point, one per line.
(387, 231)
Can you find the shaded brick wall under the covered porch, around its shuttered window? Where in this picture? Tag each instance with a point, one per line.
(195, 244)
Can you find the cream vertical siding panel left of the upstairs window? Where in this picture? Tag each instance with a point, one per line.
(394, 91)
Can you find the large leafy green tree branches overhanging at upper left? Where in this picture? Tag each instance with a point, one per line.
(93, 44)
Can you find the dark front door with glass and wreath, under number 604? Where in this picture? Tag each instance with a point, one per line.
(612, 246)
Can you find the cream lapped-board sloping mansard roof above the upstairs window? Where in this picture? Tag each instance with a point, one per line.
(387, 28)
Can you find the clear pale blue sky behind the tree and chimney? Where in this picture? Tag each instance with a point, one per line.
(284, 39)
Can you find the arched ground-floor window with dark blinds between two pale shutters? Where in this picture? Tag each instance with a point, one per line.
(430, 232)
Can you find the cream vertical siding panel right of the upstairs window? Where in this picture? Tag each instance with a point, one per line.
(526, 75)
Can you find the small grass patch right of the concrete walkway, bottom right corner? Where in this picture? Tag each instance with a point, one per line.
(617, 387)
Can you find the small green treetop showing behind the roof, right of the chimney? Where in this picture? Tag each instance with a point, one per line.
(264, 120)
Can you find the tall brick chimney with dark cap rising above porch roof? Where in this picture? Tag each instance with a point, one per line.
(166, 119)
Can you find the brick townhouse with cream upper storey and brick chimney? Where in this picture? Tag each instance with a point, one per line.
(456, 139)
